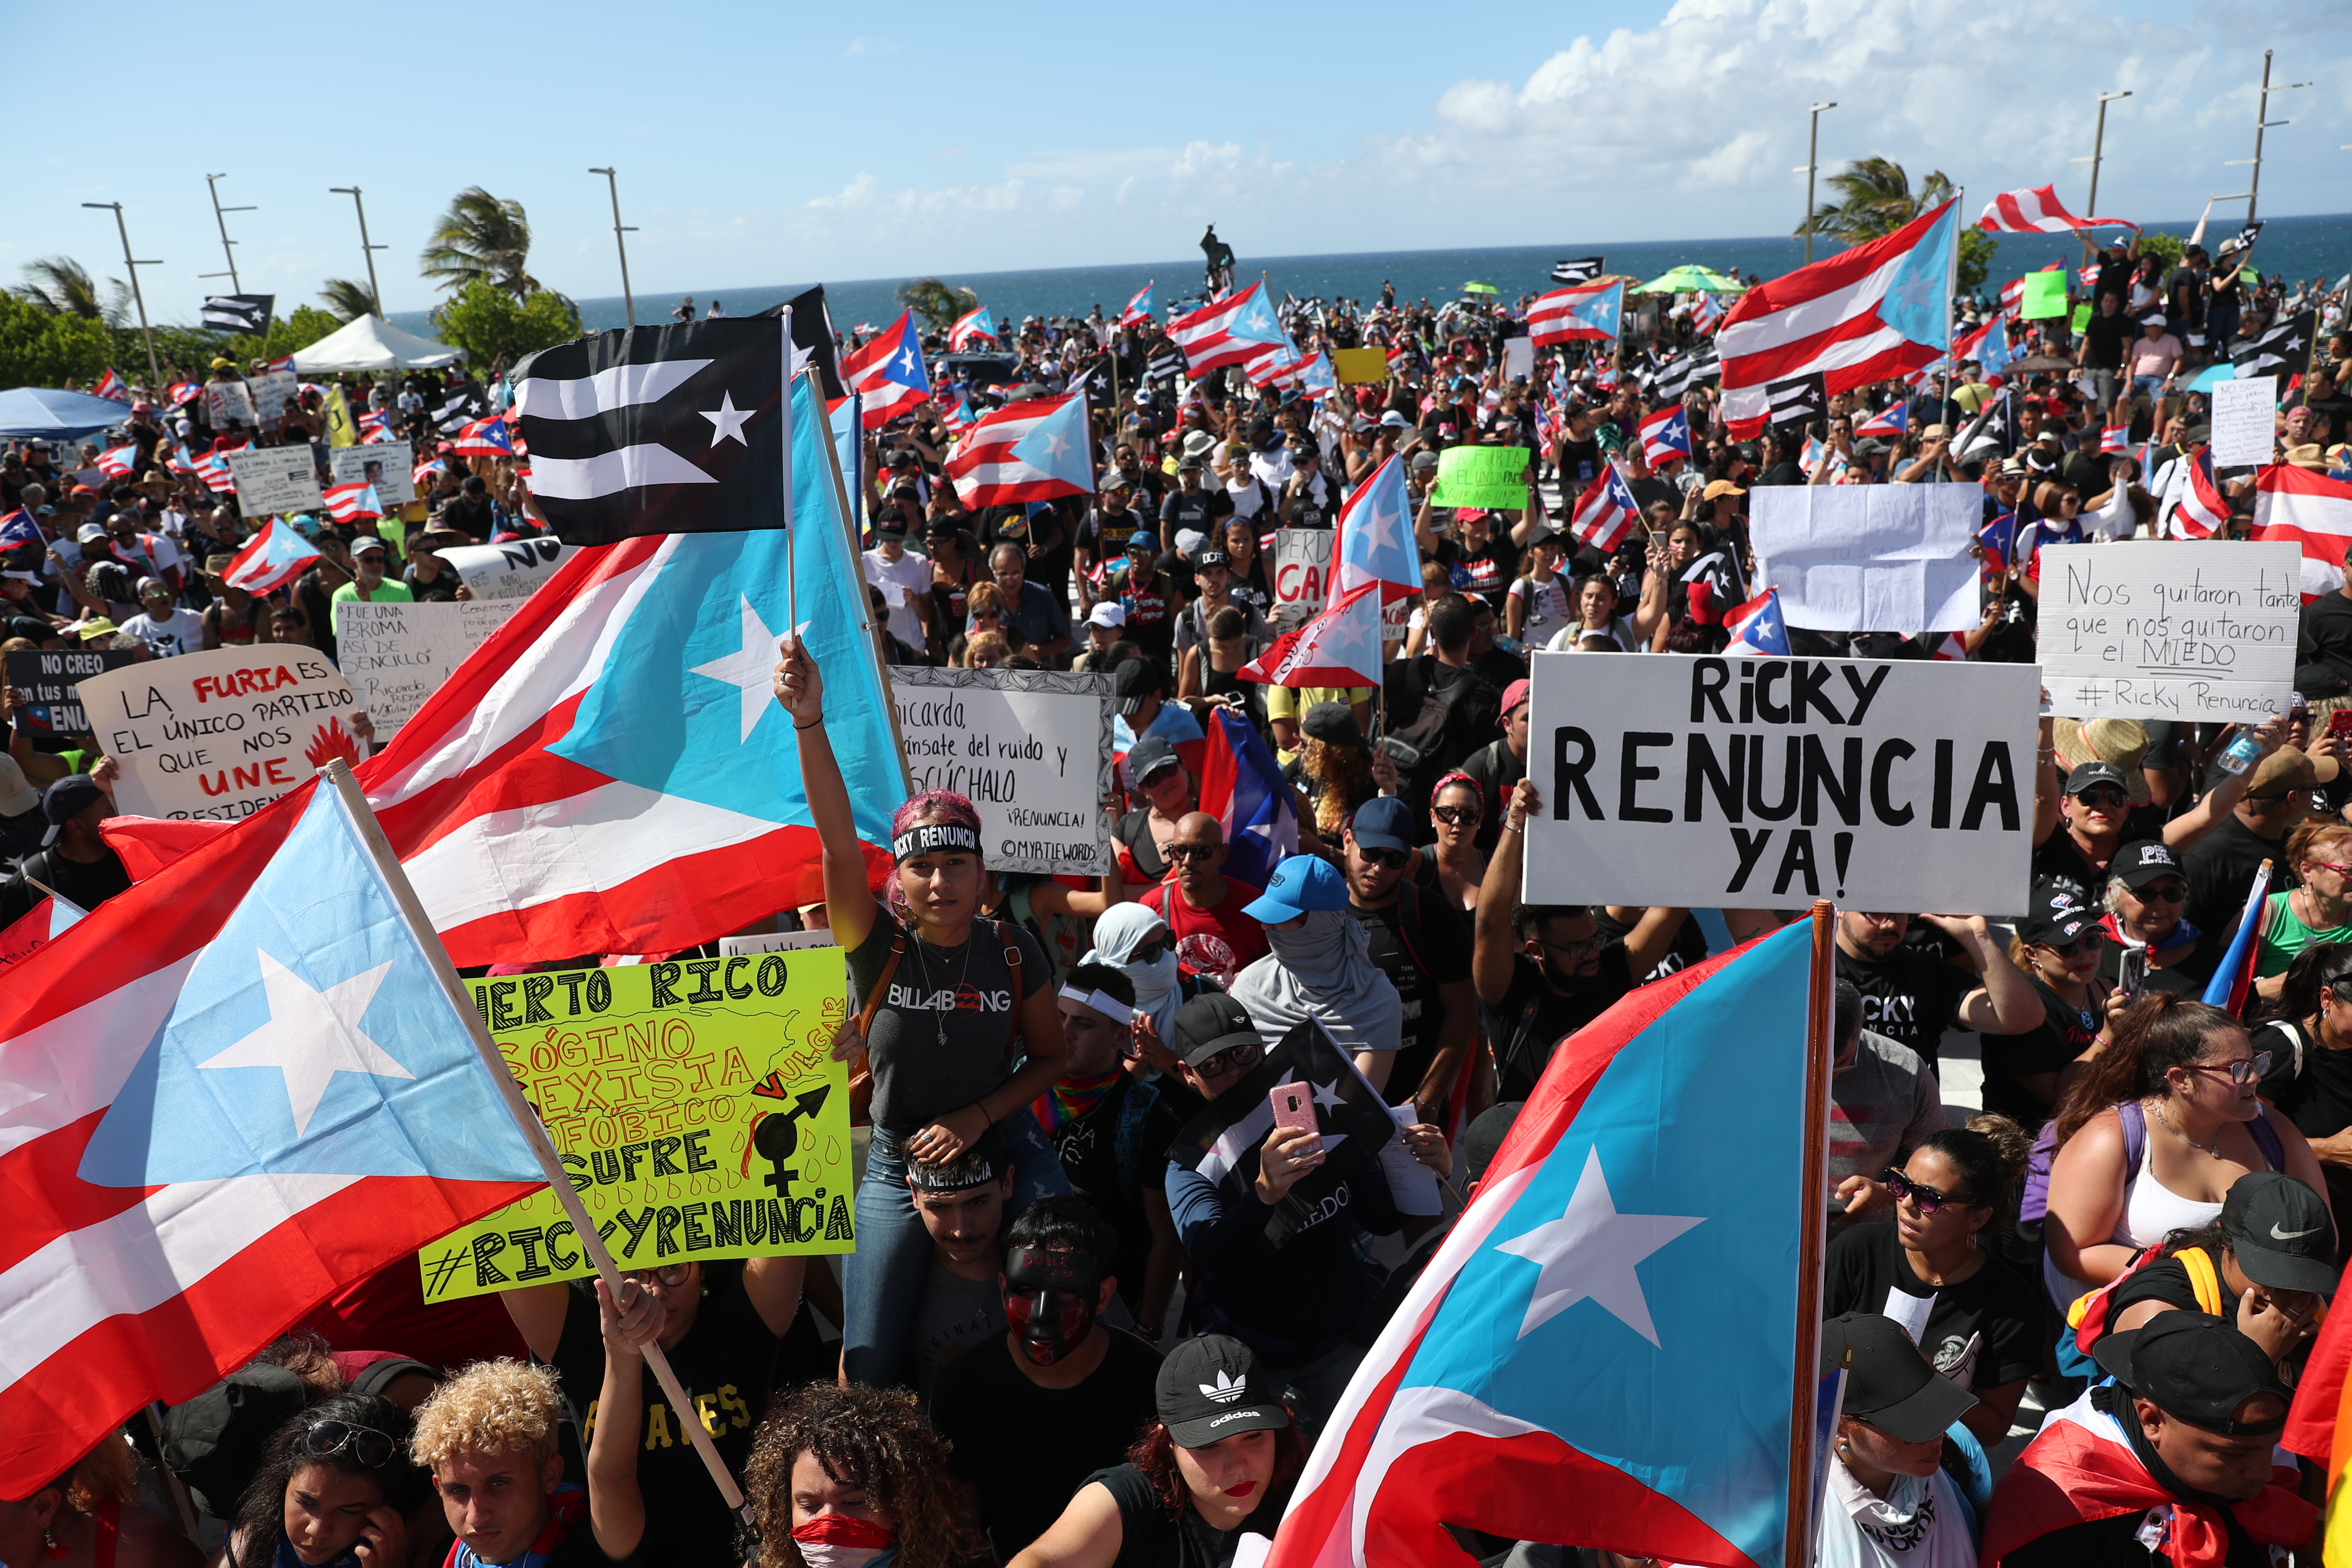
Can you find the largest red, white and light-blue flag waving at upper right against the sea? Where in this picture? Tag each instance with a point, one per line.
(1869, 314)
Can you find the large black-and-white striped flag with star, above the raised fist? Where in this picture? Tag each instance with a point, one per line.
(662, 431)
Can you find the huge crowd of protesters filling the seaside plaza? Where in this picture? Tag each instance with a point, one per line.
(1057, 1343)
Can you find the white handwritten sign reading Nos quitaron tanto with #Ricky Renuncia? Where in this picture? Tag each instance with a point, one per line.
(2170, 631)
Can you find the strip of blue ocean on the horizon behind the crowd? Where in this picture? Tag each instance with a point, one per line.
(2294, 248)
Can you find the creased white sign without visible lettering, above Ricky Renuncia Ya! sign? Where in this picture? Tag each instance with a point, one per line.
(1871, 558)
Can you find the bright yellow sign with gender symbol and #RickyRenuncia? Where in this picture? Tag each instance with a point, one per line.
(695, 1106)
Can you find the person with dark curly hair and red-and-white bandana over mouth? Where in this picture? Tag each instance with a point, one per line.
(853, 1477)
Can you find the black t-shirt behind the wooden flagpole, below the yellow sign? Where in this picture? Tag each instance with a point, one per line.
(726, 1362)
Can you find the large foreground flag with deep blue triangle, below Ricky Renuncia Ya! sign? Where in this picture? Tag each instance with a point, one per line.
(1565, 1369)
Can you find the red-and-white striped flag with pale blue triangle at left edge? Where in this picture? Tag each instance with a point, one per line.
(234, 1090)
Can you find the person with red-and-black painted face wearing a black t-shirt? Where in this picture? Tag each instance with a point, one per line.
(1074, 1388)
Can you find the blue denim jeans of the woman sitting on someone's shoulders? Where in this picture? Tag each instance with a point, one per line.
(883, 1280)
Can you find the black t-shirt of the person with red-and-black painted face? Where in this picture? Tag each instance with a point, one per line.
(1029, 1449)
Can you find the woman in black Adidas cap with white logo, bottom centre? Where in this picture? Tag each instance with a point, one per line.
(1217, 1466)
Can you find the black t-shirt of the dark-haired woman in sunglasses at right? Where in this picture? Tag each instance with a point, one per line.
(1993, 1306)
